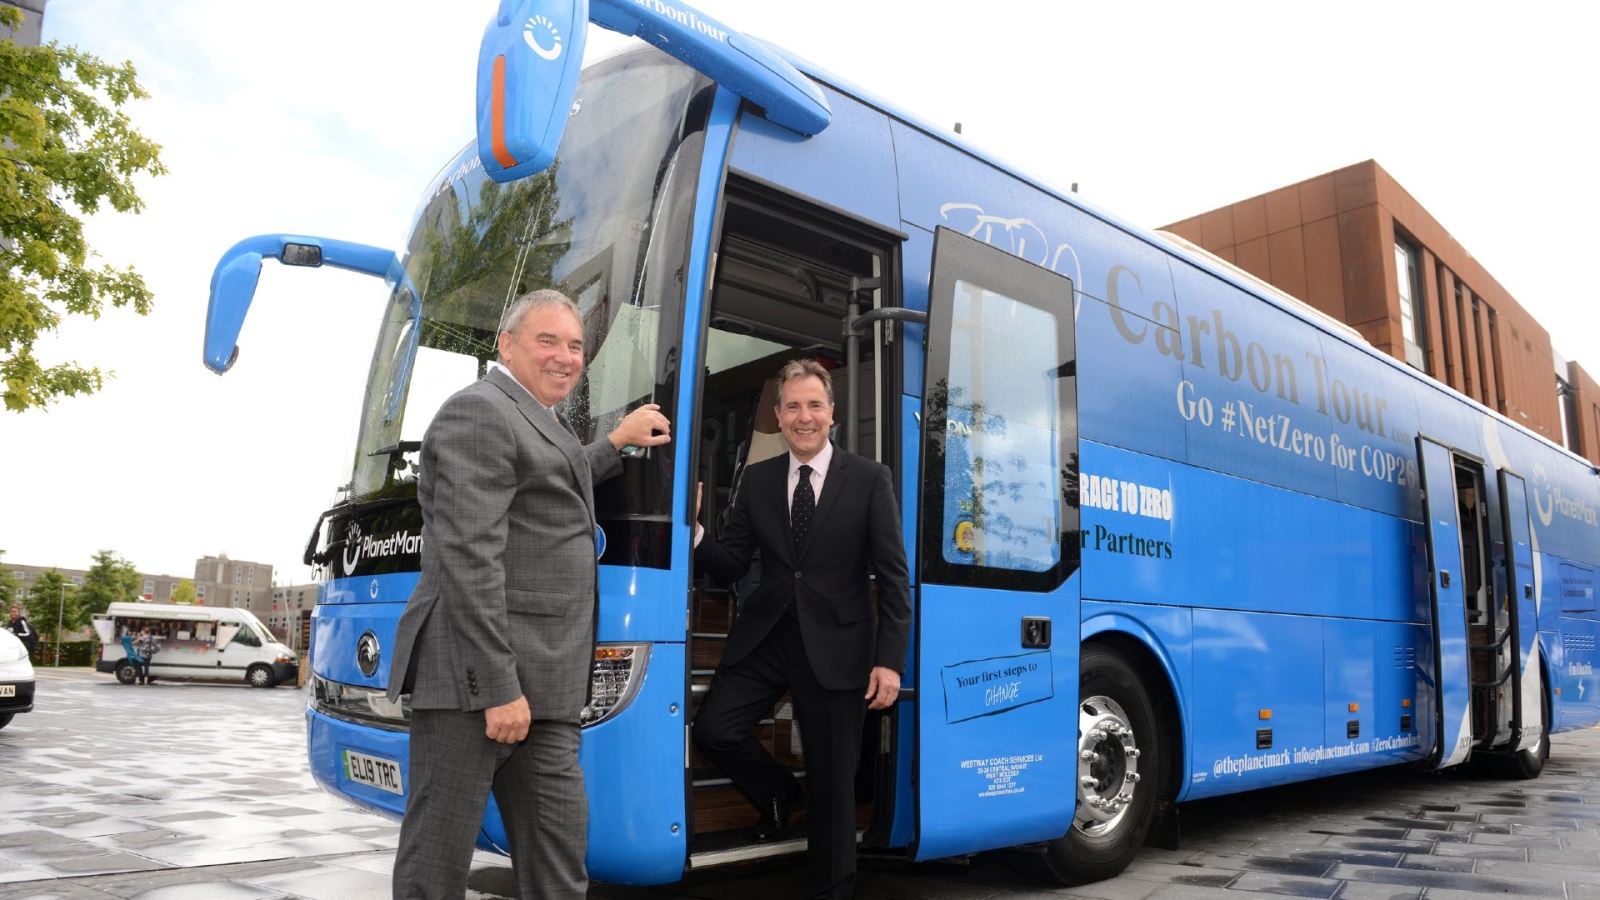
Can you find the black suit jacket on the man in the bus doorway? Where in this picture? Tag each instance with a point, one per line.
(857, 526)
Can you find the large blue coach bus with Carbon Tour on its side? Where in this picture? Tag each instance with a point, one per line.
(1174, 534)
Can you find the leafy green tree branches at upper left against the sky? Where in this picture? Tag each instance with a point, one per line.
(68, 150)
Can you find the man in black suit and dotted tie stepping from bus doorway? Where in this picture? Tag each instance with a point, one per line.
(822, 520)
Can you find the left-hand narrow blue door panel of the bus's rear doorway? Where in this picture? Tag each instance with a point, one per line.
(1447, 726)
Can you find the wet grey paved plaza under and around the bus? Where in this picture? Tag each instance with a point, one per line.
(191, 792)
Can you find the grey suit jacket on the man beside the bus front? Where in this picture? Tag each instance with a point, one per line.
(506, 601)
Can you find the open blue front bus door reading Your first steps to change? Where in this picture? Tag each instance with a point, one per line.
(998, 600)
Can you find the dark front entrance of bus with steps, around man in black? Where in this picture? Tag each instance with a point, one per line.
(783, 283)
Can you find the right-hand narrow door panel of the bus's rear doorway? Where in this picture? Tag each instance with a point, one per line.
(1529, 693)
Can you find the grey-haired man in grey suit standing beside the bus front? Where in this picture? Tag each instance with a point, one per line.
(498, 638)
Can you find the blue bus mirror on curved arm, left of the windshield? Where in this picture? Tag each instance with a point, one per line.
(239, 271)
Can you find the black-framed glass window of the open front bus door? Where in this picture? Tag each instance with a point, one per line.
(1001, 505)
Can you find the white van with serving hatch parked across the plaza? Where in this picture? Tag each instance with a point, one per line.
(210, 643)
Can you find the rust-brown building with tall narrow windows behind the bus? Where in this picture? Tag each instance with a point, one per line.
(1359, 247)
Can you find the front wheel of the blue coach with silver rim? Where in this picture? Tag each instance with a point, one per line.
(1122, 773)
